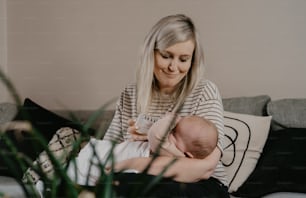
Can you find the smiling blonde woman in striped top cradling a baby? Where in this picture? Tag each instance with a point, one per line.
(170, 79)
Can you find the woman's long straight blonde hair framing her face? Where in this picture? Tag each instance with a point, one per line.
(165, 33)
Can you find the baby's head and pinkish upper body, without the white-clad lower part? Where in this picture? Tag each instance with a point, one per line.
(191, 136)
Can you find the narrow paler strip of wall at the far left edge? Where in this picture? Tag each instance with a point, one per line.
(3, 49)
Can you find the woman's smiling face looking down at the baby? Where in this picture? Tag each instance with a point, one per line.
(172, 64)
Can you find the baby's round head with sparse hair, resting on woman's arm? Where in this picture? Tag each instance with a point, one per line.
(195, 136)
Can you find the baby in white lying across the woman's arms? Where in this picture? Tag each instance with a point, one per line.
(189, 136)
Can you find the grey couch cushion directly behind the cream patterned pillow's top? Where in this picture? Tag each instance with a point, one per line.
(254, 105)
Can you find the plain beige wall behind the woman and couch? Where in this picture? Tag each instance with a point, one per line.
(79, 54)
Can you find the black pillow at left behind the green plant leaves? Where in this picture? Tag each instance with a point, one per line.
(45, 122)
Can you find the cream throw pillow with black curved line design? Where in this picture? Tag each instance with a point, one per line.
(245, 137)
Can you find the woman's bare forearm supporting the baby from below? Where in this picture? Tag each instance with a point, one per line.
(182, 170)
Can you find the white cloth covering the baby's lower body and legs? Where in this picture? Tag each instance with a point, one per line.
(86, 164)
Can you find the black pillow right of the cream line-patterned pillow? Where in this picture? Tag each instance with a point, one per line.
(281, 167)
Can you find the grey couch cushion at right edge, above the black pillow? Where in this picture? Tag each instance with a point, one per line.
(288, 113)
